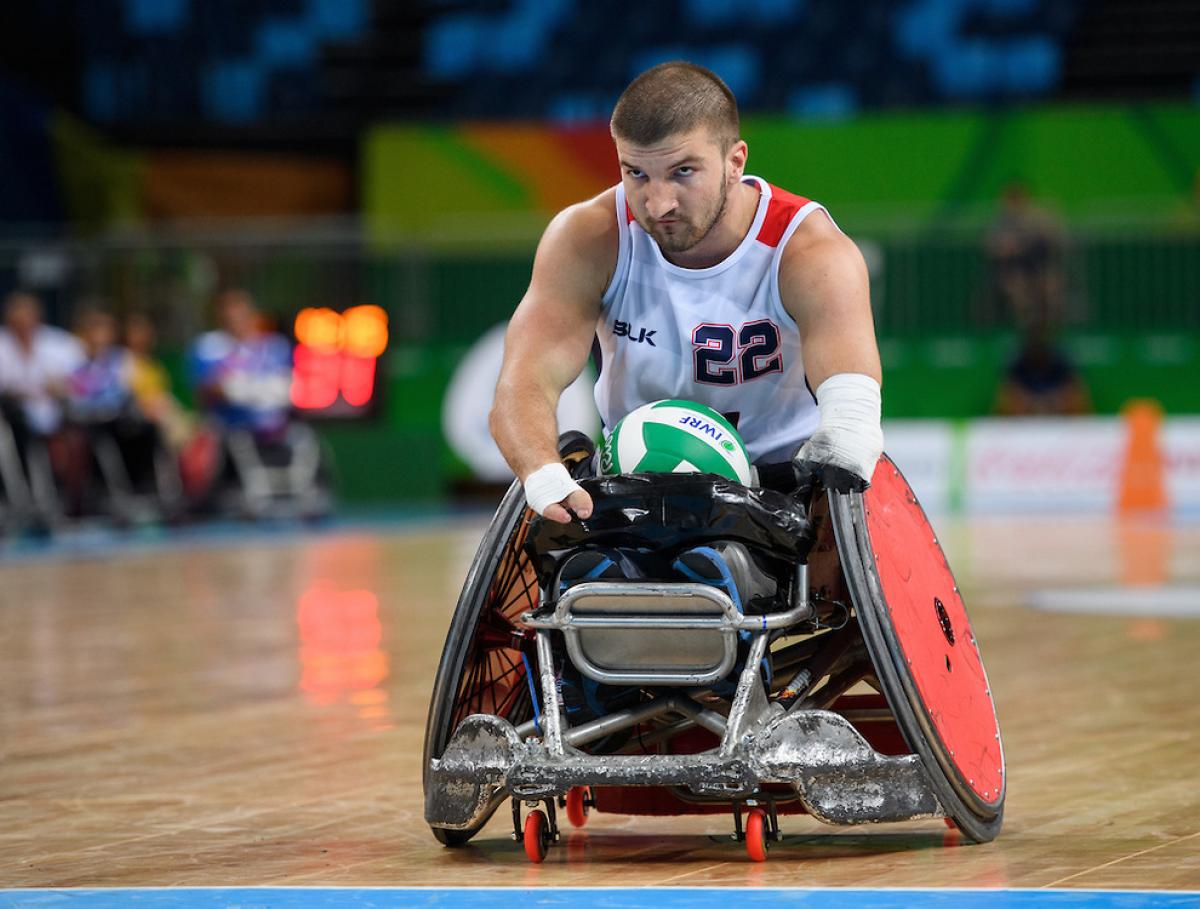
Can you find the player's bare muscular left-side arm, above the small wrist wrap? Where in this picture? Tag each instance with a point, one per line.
(550, 336)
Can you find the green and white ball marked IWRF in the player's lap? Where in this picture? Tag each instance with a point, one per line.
(676, 437)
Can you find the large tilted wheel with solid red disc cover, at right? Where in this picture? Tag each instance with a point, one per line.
(922, 647)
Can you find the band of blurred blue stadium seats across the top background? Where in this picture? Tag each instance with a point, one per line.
(236, 62)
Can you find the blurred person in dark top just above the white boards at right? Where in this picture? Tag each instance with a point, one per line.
(1041, 382)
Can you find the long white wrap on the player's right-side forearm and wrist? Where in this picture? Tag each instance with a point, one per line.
(849, 435)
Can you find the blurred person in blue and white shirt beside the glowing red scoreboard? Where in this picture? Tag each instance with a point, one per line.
(243, 374)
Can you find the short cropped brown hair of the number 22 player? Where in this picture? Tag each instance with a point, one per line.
(673, 99)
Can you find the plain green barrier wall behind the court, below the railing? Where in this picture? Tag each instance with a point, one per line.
(400, 456)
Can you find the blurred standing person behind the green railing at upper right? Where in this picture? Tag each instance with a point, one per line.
(1027, 249)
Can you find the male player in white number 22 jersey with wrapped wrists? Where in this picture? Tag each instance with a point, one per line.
(701, 284)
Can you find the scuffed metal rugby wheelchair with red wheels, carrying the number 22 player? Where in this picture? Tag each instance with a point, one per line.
(845, 683)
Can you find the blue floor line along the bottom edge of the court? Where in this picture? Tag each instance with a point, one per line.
(590, 898)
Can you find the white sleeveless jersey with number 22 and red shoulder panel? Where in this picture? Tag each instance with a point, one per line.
(718, 336)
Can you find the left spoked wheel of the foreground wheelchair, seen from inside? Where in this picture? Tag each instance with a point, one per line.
(488, 655)
